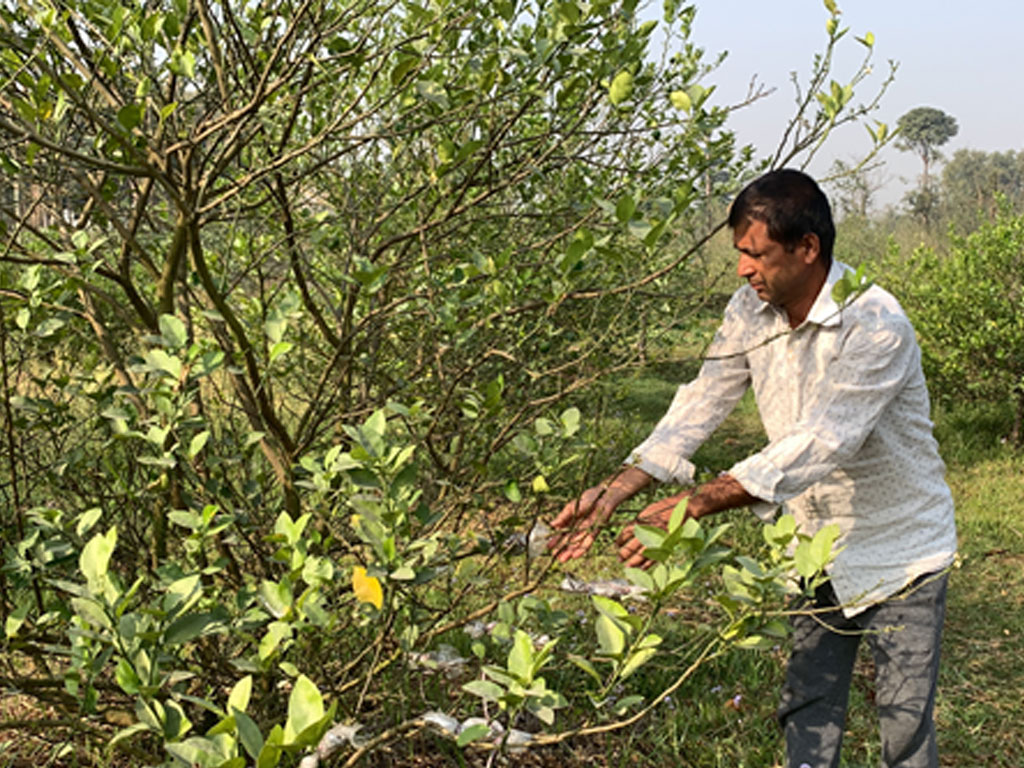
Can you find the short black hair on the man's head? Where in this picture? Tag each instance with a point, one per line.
(792, 205)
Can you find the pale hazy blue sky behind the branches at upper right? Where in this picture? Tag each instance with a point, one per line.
(966, 59)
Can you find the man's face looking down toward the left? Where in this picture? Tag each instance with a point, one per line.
(780, 276)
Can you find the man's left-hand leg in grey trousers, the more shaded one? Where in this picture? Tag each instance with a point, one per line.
(813, 711)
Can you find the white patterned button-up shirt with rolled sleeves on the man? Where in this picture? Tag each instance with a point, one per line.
(846, 410)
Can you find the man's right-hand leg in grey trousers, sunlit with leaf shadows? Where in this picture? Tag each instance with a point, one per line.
(906, 633)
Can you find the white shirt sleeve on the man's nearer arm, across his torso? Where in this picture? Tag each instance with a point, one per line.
(869, 373)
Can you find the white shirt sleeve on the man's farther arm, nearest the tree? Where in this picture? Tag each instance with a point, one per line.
(700, 407)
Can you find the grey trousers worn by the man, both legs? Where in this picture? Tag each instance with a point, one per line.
(905, 634)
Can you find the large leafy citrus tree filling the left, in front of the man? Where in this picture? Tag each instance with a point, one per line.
(298, 305)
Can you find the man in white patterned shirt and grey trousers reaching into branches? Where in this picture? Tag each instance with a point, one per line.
(844, 404)
